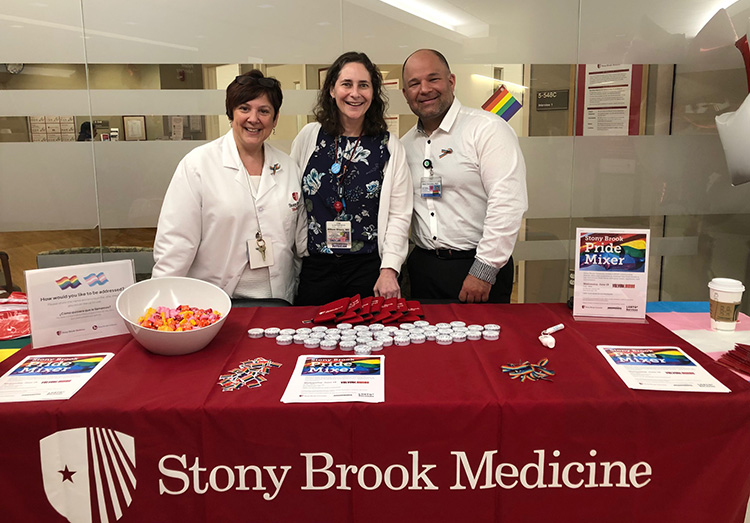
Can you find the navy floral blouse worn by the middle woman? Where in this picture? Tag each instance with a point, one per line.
(359, 182)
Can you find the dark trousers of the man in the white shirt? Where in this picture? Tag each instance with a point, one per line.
(441, 277)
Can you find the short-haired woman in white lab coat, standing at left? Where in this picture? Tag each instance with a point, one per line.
(233, 213)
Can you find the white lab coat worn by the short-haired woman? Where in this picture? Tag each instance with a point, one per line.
(209, 214)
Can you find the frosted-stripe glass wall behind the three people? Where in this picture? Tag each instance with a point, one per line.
(149, 77)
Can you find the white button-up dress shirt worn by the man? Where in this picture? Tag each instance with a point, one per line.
(477, 156)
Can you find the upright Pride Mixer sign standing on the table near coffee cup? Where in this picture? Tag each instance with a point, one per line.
(611, 274)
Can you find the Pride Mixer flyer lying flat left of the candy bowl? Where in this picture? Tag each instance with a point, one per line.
(50, 377)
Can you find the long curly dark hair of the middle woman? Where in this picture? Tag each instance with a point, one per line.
(327, 112)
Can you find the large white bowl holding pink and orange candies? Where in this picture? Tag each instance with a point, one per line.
(172, 291)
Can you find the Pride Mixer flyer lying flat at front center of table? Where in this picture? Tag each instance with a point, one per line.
(325, 379)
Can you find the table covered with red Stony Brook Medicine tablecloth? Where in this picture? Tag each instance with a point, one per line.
(456, 440)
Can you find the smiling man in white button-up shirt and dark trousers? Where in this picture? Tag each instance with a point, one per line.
(470, 190)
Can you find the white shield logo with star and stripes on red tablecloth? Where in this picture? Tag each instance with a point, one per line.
(88, 473)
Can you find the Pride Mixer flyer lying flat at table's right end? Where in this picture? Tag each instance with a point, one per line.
(660, 368)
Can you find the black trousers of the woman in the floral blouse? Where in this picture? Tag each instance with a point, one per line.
(328, 277)
